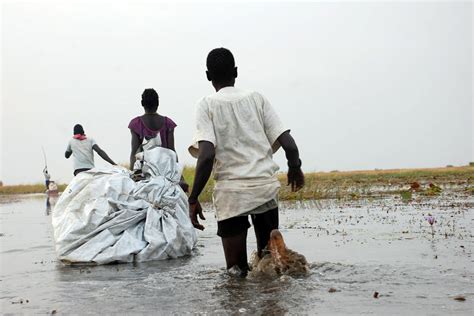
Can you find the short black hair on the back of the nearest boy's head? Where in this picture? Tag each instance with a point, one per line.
(220, 64)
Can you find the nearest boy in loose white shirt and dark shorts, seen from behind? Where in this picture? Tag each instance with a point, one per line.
(237, 132)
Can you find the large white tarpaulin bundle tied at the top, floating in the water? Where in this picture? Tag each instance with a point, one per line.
(104, 216)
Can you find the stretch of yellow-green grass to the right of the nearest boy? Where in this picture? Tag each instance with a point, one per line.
(373, 183)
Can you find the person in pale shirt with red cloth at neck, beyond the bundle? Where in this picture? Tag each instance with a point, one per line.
(82, 149)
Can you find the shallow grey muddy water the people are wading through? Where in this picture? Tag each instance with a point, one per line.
(354, 248)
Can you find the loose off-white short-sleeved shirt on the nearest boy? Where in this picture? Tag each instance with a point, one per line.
(244, 129)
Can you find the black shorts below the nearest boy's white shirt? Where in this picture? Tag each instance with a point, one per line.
(236, 225)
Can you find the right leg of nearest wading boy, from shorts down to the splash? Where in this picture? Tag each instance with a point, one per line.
(263, 224)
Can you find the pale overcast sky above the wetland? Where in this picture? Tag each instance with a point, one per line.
(361, 85)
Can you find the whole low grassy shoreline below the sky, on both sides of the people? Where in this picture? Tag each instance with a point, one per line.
(335, 184)
